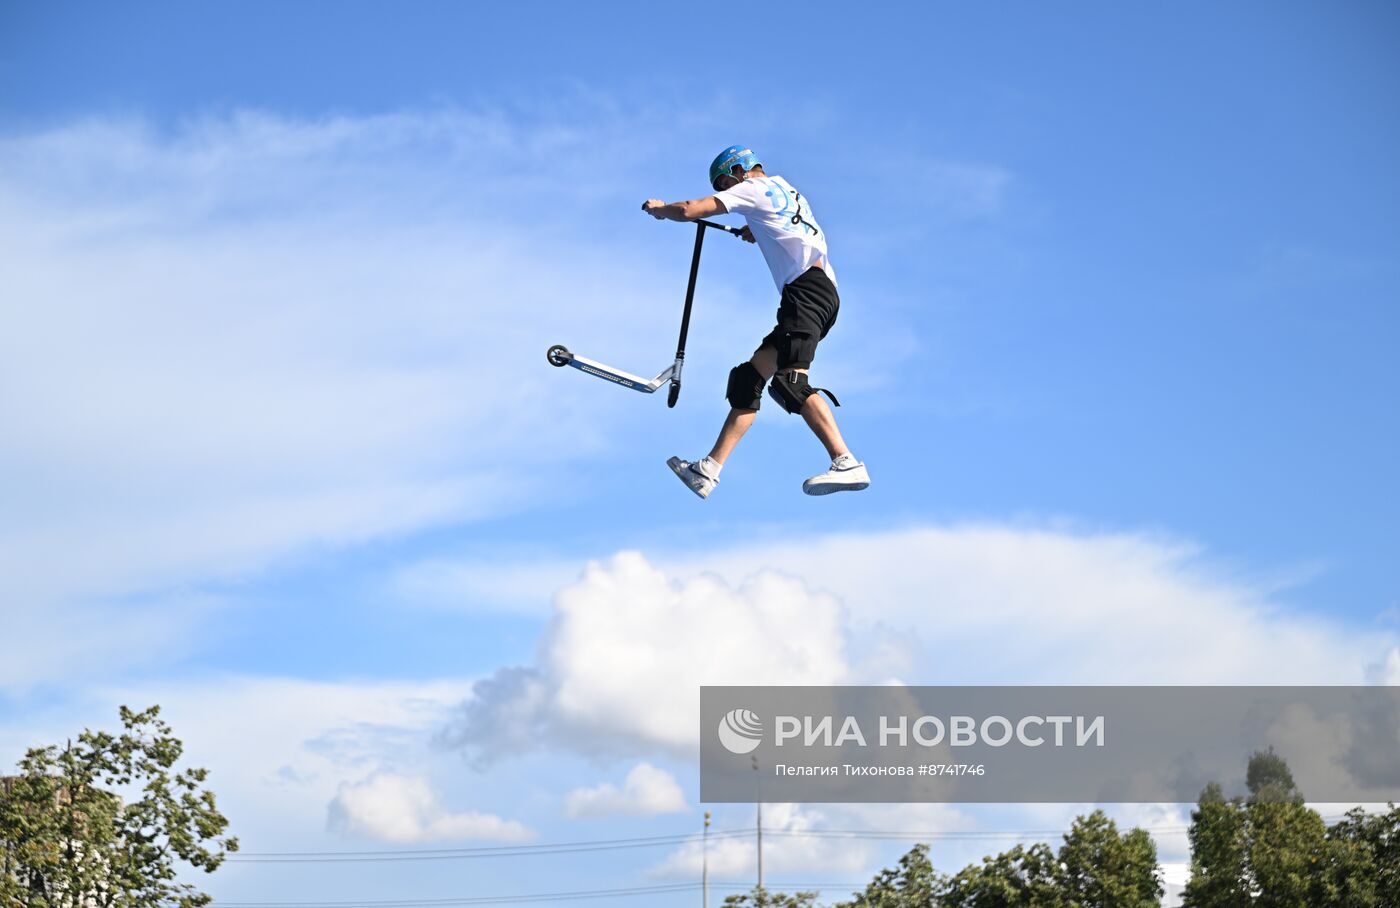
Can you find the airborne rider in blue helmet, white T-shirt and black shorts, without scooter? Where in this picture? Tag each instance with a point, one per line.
(780, 220)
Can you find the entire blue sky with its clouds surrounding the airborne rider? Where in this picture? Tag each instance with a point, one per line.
(1118, 345)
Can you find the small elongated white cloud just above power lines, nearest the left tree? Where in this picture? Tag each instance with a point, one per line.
(405, 809)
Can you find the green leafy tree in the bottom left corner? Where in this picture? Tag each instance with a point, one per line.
(68, 842)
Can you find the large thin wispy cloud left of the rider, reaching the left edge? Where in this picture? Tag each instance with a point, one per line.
(253, 336)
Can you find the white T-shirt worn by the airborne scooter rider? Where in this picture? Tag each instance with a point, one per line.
(782, 223)
